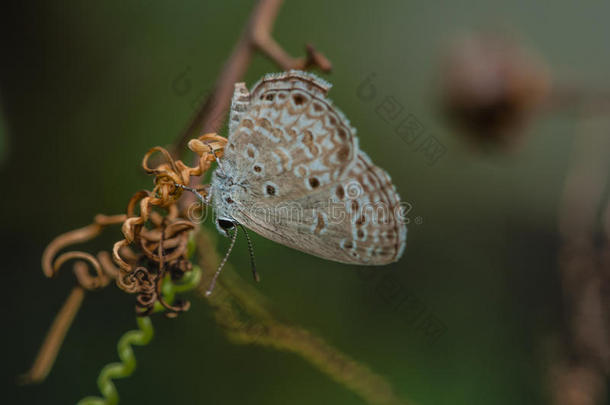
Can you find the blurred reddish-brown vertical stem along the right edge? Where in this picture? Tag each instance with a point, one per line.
(579, 378)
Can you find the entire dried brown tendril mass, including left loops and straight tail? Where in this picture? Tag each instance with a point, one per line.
(154, 248)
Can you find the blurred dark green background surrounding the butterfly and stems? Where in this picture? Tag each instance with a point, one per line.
(88, 87)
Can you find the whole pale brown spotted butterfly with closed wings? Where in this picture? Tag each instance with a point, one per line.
(292, 172)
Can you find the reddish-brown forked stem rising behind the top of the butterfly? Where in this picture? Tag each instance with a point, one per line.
(256, 36)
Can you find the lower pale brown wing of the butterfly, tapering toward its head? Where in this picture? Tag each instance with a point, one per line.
(358, 220)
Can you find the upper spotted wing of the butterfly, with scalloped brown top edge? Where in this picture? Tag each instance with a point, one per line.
(291, 135)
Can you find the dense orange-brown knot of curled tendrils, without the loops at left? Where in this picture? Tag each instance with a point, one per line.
(156, 236)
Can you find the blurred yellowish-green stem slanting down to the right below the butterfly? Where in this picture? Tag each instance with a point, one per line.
(243, 312)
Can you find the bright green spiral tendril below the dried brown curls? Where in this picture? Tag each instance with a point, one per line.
(138, 337)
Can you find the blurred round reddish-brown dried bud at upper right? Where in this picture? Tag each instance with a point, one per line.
(491, 87)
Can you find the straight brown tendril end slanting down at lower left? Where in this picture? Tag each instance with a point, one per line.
(48, 351)
